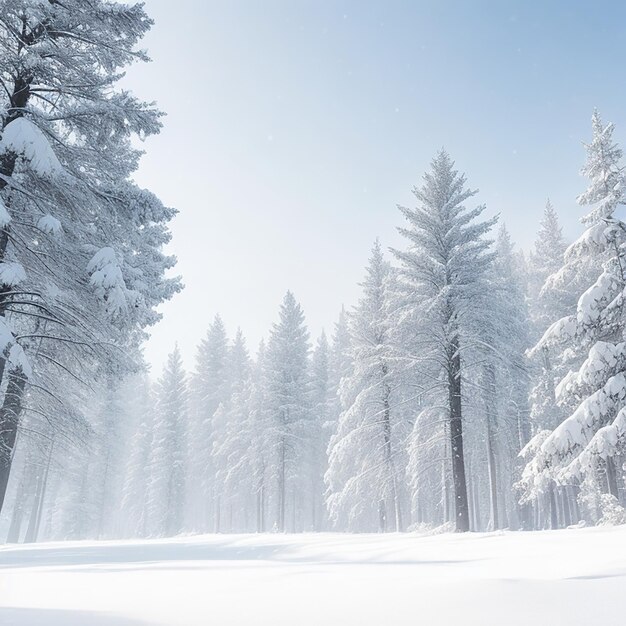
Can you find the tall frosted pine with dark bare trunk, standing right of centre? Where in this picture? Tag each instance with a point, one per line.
(444, 272)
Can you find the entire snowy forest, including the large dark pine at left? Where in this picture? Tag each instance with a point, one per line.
(474, 386)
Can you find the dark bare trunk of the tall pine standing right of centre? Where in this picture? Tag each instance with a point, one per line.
(461, 508)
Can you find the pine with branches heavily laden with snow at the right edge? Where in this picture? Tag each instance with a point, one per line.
(585, 445)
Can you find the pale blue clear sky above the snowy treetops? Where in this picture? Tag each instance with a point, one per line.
(294, 128)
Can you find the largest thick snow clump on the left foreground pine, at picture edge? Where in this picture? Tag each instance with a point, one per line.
(26, 139)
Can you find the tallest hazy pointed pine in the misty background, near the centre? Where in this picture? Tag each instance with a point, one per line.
(288, 398)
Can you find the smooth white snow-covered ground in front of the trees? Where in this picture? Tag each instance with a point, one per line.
(572, 577)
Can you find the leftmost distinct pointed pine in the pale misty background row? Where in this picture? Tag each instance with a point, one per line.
(166, 486)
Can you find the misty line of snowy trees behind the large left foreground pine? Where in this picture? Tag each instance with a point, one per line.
(472, 387)
